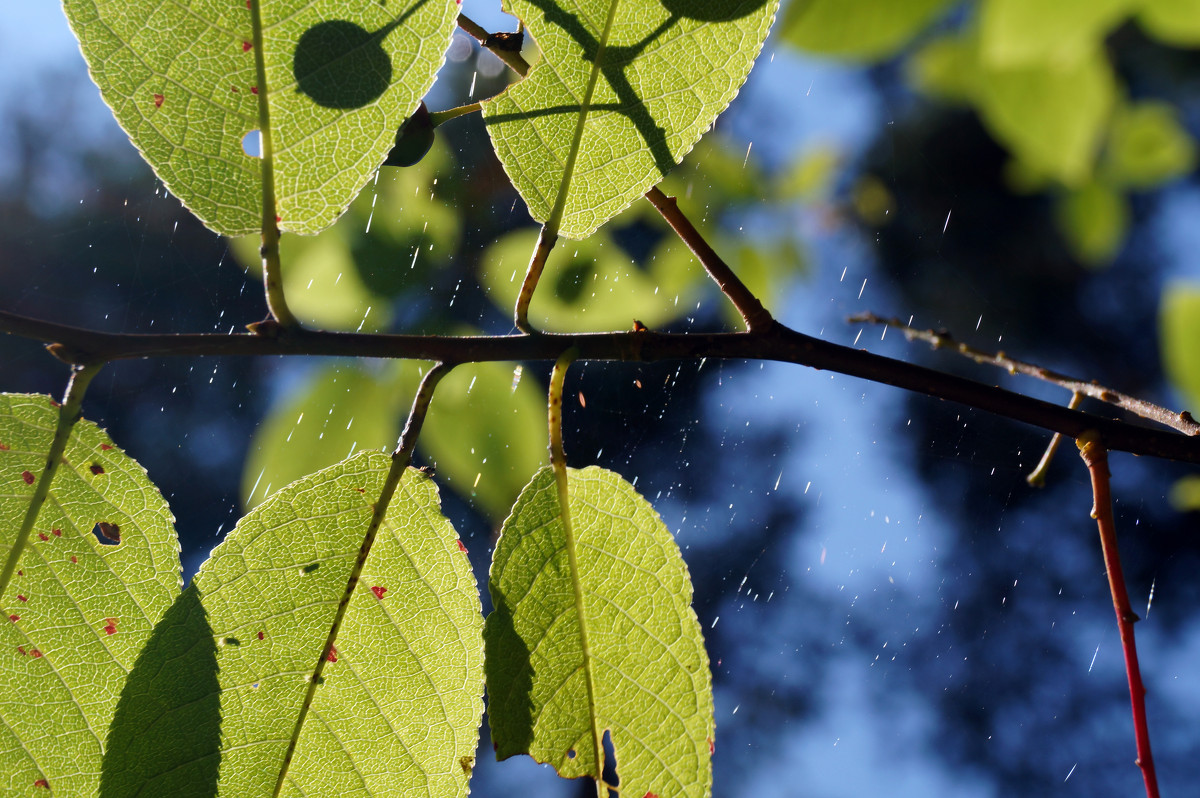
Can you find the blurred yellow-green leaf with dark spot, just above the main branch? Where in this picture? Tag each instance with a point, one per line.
(591, 285)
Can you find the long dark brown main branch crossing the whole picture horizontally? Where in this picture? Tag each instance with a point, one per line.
(776, 343)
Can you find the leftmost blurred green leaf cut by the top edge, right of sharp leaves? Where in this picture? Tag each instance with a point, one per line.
(867, 31)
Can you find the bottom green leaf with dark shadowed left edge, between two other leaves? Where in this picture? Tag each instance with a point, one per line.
(399, 705)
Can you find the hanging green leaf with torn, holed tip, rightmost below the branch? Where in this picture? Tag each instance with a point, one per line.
(646, 655)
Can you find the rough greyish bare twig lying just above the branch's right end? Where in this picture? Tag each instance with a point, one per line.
(943, 340)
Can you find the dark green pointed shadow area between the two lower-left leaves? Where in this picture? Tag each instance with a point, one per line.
(166, 734)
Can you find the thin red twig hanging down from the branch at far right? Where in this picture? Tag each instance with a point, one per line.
(1094, 453)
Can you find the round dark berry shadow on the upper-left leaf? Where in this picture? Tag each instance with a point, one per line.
(341, 65)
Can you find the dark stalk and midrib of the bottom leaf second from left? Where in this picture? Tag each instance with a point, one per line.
(400, 461)
